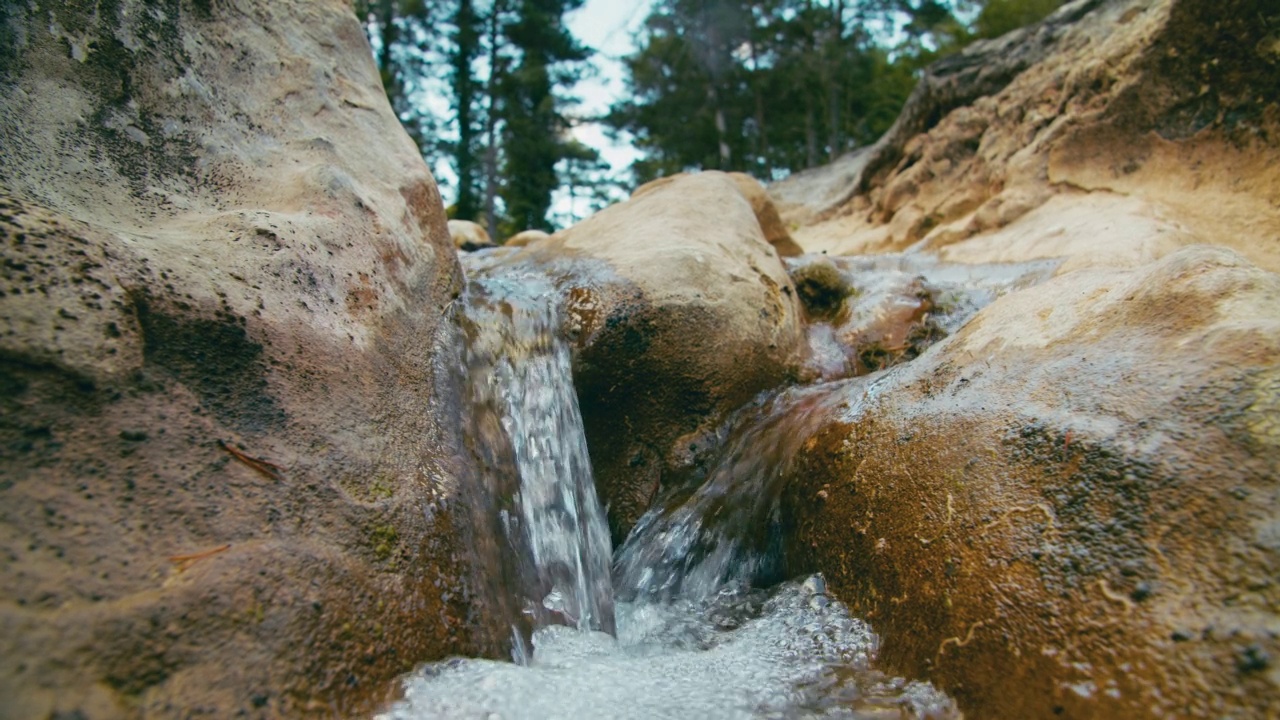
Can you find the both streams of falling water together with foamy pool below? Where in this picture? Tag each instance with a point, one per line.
(693, 637)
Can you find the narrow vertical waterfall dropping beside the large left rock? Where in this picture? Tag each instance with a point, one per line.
(520, 373)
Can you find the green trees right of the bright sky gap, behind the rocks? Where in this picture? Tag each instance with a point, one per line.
(776, 86)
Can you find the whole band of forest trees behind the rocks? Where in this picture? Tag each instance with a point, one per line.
(767, 88)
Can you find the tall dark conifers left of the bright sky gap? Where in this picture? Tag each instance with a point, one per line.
(502, 66)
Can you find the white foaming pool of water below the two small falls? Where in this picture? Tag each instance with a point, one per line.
(789, 653)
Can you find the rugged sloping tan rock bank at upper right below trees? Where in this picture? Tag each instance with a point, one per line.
(1130, 111)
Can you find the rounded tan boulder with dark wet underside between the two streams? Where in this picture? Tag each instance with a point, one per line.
(680, 317)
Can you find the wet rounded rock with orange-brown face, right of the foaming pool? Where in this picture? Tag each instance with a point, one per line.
(1069, 508)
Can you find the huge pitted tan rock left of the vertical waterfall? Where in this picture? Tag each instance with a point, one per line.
(227, 404)
